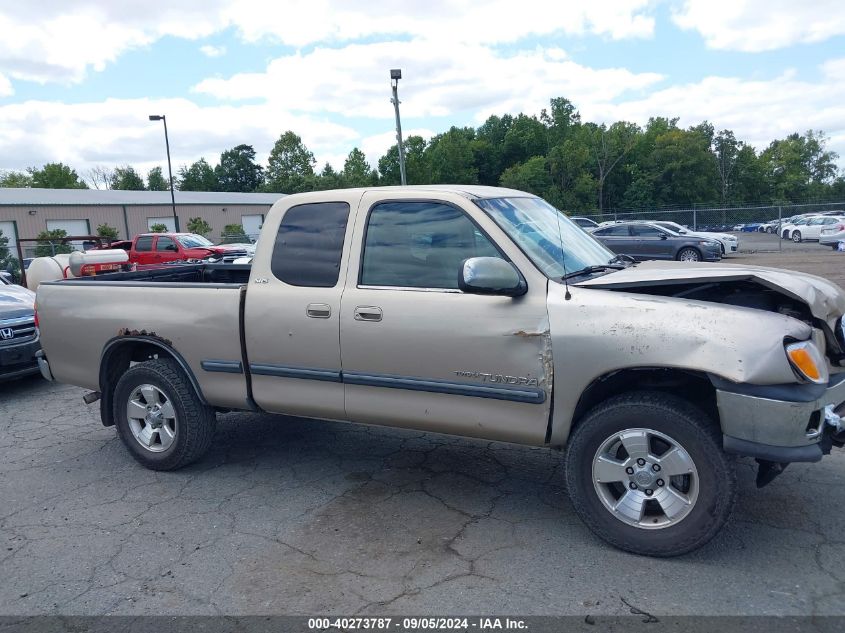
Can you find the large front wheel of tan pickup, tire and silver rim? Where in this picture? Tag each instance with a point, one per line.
(646, 472)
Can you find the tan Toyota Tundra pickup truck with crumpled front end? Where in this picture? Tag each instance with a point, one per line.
(480, 312)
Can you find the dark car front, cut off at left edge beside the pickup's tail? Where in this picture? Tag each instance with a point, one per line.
(18, 334)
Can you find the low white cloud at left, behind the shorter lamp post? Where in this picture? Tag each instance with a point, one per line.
(117, 132)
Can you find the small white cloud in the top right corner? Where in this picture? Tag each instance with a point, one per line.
(761, 25)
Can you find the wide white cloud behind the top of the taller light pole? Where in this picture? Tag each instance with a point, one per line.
(437, 80)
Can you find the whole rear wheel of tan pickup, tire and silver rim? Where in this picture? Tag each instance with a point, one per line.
(159, 416)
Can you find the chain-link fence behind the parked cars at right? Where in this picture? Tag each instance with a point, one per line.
(759, 228)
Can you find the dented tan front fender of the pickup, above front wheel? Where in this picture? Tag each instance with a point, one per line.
(598, 332)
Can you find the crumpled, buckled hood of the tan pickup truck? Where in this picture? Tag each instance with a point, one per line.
(825, 299)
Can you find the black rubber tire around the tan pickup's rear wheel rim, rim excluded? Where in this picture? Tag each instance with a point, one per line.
(194, 422)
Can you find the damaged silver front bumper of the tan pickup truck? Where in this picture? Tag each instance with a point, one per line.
(778, 423)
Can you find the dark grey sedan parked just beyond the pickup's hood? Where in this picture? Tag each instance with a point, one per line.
(647, 240)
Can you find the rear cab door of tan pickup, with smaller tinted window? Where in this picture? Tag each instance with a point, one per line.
(292, 313)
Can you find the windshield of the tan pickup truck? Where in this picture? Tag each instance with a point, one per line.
(539, 230)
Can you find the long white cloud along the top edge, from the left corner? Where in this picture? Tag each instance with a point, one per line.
(59, 41)
